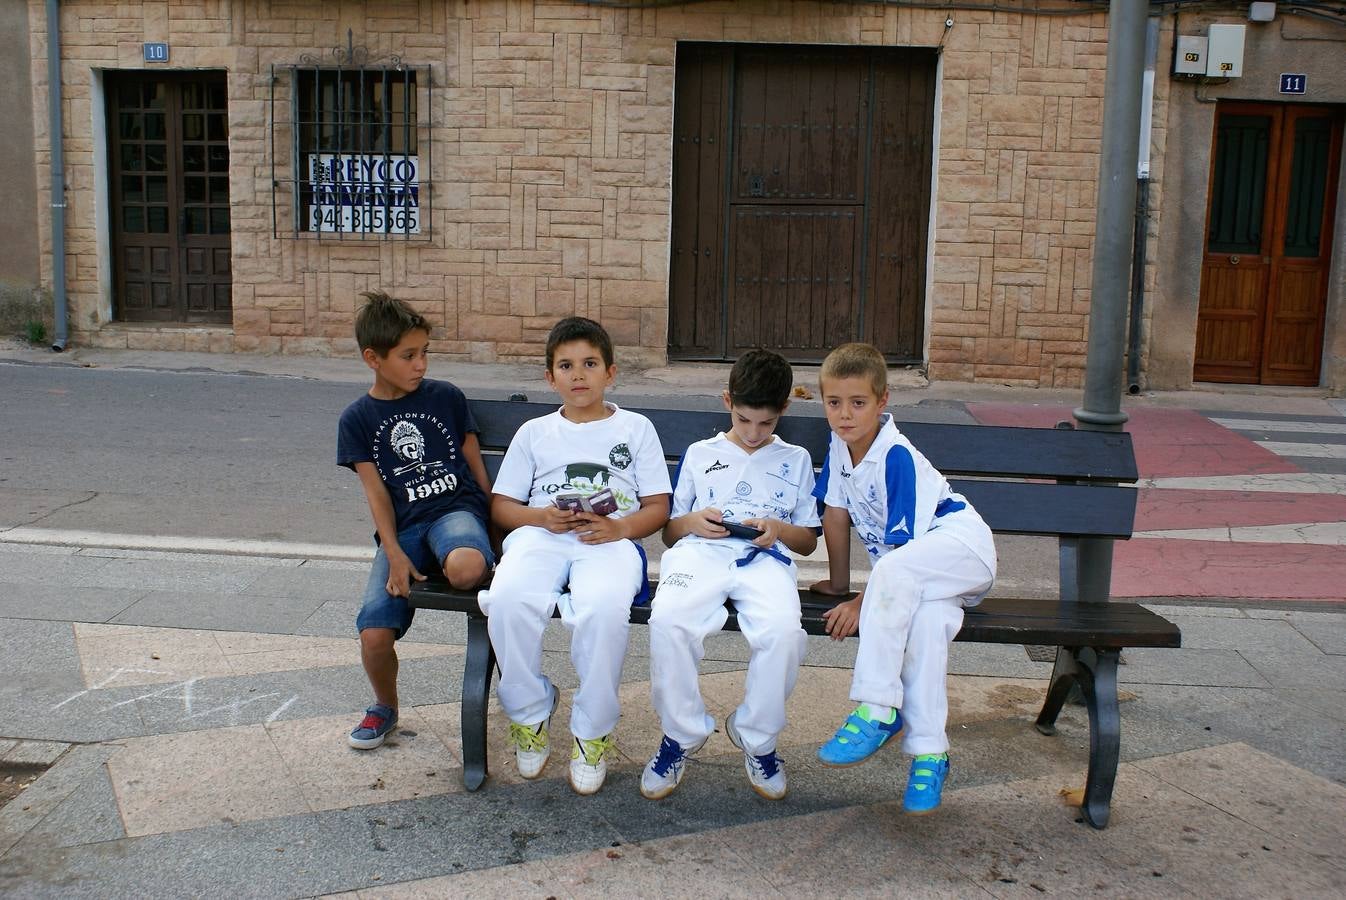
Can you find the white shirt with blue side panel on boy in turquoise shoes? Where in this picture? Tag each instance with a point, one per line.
(894, 494)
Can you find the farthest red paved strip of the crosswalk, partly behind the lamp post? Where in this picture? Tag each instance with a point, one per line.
(1170, 443)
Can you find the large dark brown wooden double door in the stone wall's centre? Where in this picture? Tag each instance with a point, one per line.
(802, 200)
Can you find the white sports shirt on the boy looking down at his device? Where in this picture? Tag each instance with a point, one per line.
(773, 482)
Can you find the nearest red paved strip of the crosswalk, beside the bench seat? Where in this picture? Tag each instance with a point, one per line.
(1166, 568)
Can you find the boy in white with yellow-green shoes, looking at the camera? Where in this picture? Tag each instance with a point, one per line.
(577, 492)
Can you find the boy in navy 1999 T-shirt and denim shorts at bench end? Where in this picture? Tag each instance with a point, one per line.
(414, 445)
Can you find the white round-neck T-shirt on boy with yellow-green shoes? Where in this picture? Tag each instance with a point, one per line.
(553, 454)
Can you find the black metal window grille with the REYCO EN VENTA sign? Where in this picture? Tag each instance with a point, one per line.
(353, 159)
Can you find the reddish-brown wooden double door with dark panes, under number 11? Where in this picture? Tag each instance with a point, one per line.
(1269, 244)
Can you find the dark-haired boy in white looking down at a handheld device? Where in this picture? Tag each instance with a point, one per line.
(742, 500)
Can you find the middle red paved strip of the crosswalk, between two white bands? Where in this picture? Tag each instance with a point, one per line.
(1168, 509)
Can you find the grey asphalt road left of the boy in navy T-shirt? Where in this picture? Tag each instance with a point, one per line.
(194, 455)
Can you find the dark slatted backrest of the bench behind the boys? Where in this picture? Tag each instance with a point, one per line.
(1022, 481)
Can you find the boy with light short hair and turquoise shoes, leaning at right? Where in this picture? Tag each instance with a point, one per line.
(932, 556)
